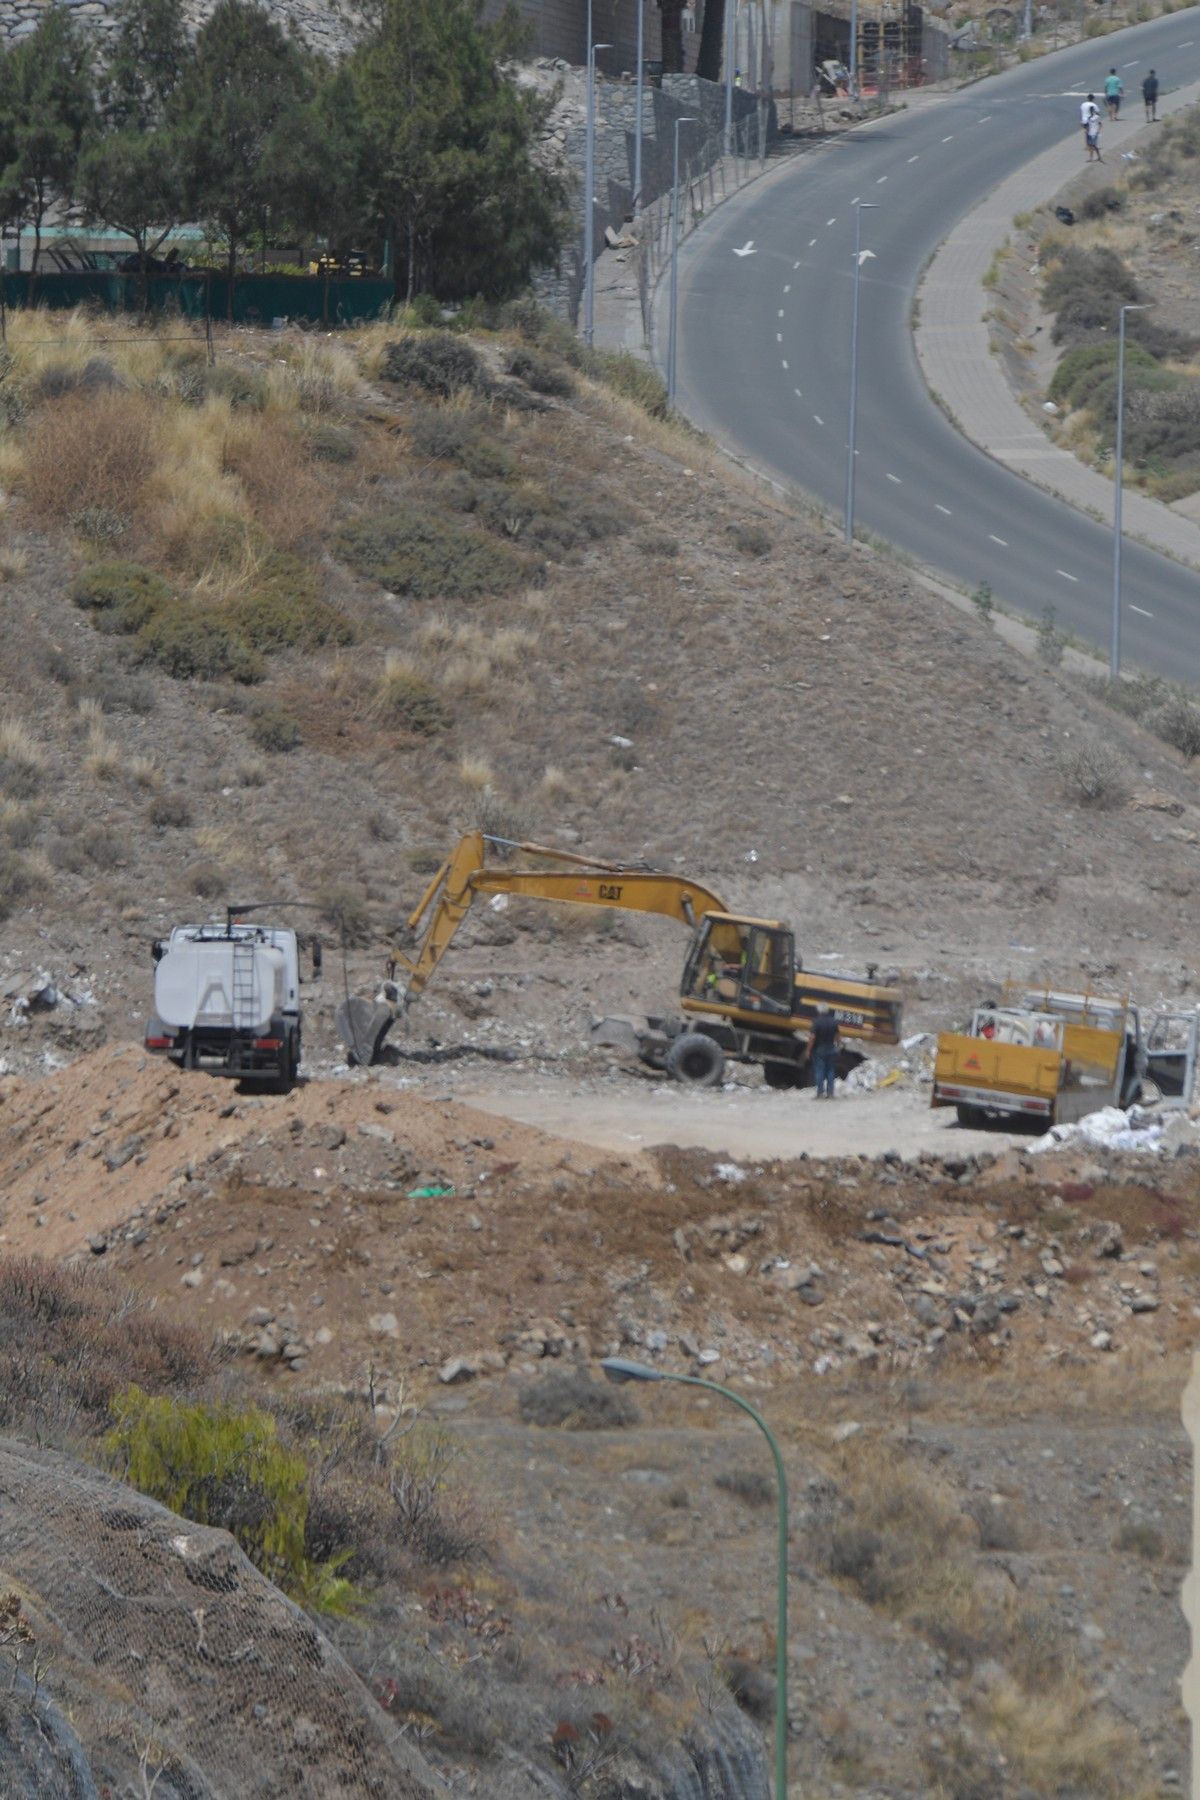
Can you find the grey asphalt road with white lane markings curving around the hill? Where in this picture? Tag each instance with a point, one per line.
(764, 357)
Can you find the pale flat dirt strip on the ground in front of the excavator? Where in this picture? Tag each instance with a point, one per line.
(744, 1122)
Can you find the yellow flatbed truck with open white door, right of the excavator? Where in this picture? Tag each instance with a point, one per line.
(1050, 1057)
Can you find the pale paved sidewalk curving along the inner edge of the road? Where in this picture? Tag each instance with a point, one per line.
(969, 381)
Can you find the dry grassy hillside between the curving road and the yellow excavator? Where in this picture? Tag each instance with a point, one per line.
(282, 627)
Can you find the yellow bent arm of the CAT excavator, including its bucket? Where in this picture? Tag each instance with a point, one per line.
(467, 876)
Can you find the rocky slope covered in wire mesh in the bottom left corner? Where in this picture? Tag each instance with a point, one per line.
(143, 1655)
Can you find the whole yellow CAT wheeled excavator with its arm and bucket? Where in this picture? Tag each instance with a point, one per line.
(744, 993)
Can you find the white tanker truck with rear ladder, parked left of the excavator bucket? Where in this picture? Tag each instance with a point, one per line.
(228, 1000)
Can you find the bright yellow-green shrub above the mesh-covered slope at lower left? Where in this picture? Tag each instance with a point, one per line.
(226, 1466)
